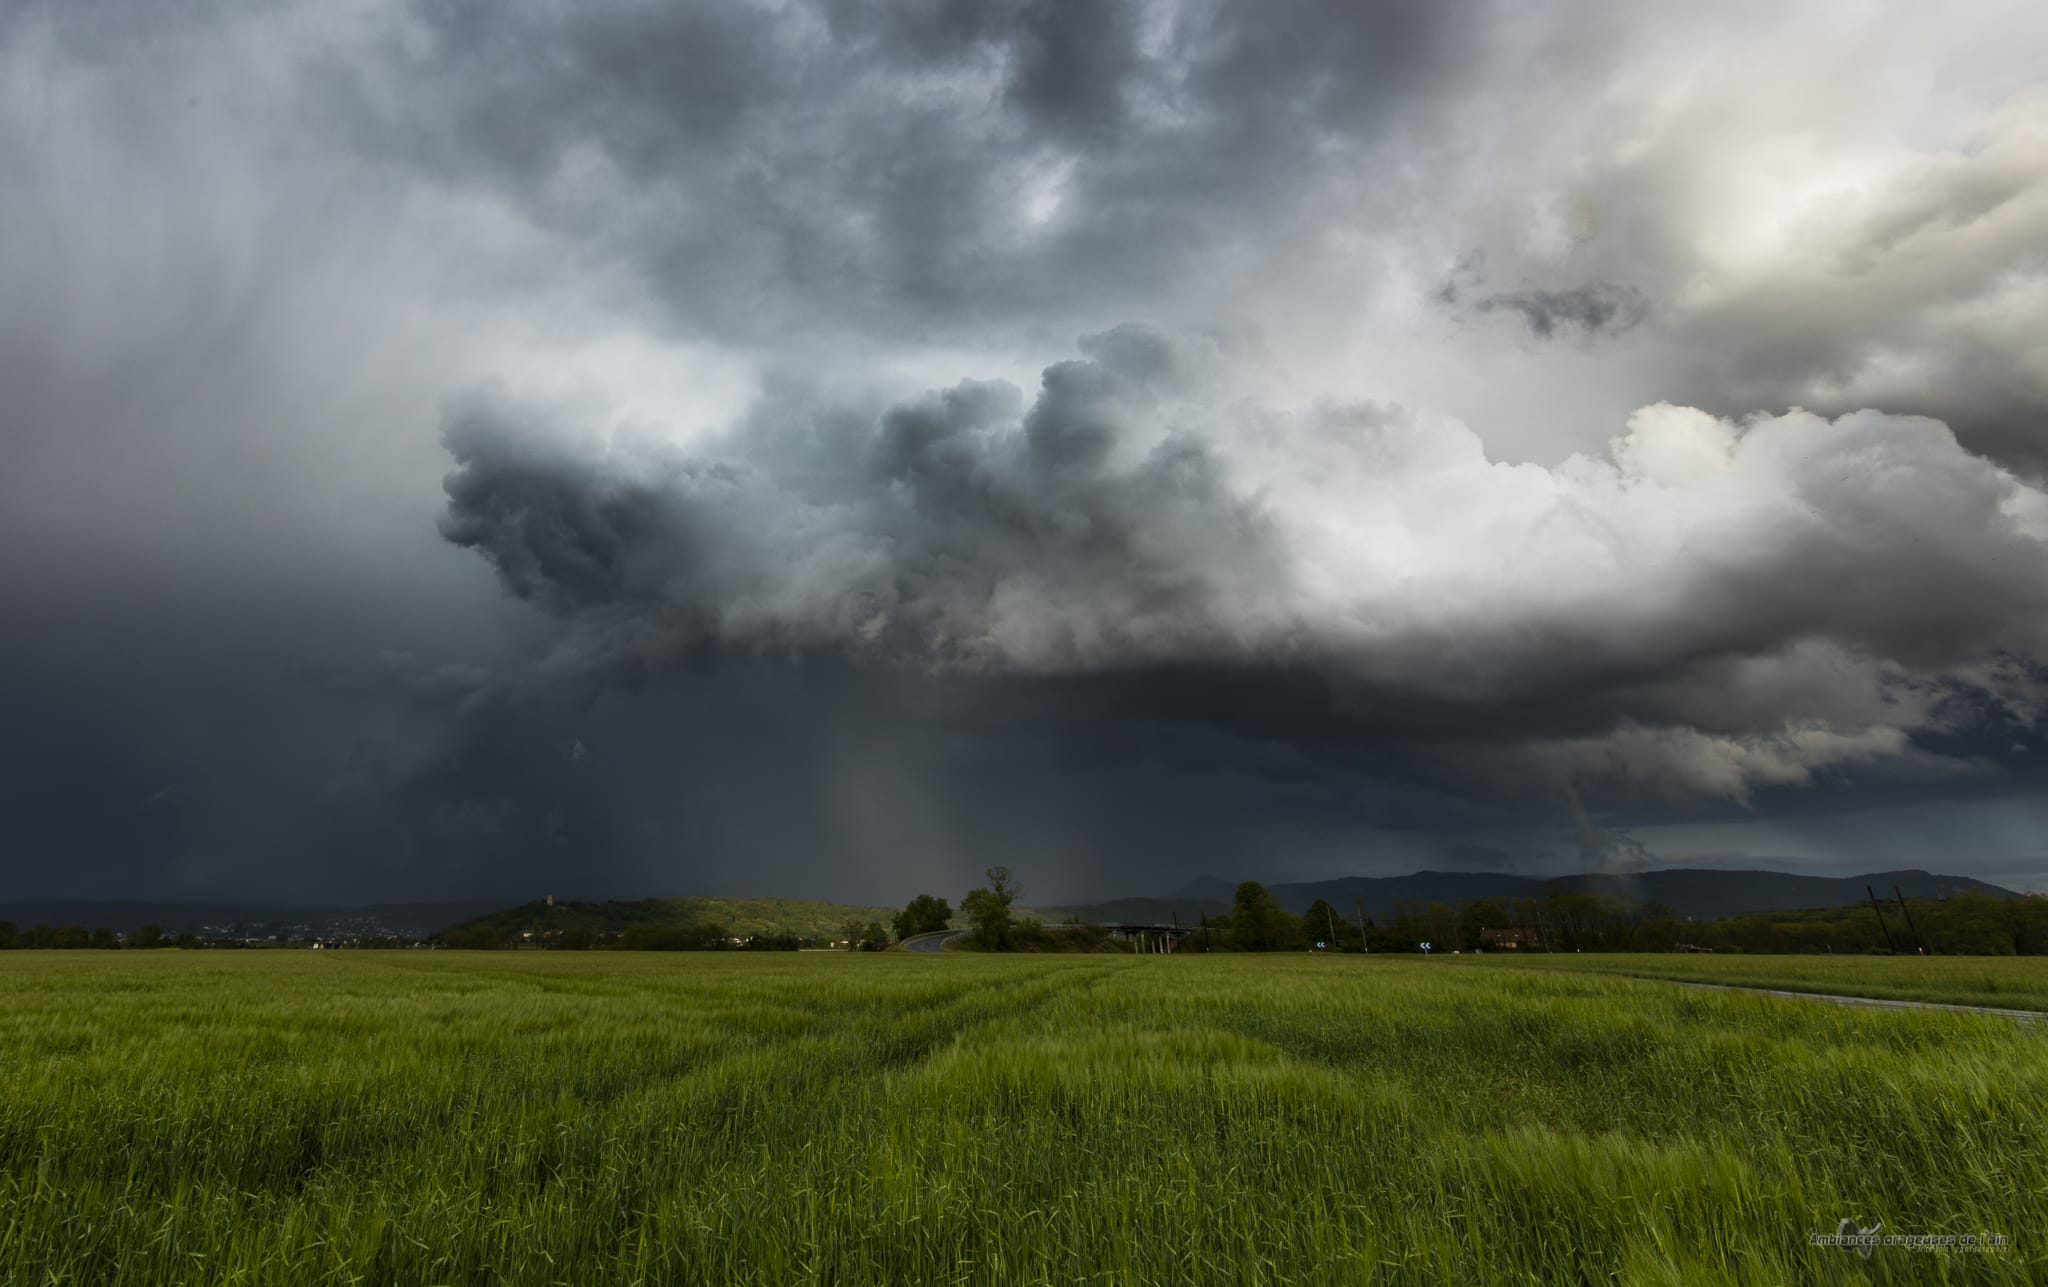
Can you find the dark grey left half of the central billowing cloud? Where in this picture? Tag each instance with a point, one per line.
(951, 542)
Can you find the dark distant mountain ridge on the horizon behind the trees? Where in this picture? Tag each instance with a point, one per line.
(1691, 890)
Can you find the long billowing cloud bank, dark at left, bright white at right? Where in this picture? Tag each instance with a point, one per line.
(1707, 610)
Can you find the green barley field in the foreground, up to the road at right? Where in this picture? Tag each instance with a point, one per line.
(706, 1118)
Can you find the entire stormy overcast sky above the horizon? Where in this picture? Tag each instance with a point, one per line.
(828, 448)
